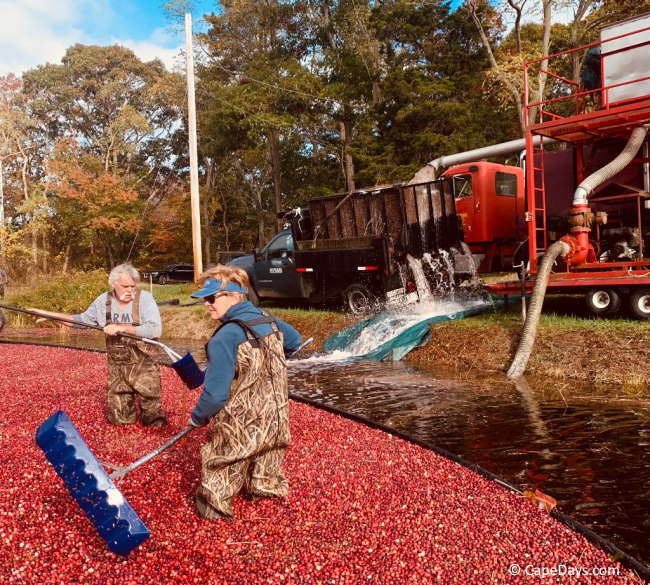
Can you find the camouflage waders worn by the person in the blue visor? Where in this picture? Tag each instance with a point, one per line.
(248, 438)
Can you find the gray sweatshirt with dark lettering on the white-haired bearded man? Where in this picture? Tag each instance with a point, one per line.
(151, 325)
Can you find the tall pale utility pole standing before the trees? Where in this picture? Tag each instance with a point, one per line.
(194, 171)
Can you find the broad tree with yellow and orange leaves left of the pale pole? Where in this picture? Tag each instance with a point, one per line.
(119, 118)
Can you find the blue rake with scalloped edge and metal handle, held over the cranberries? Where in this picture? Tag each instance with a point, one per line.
(89, 484)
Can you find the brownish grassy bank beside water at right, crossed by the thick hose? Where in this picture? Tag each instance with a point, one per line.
(567, 348)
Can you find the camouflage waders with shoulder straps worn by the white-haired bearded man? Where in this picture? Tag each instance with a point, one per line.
(132, 371)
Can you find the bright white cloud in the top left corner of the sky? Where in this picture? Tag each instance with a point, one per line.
(35, 32)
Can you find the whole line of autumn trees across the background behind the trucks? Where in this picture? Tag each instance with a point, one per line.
(295, 98)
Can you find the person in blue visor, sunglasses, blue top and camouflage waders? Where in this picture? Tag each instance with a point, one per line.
(245, 396)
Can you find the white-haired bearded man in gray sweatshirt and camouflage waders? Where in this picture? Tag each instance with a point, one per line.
(132, 369)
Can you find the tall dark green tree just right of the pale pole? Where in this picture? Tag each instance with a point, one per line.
(255, 91)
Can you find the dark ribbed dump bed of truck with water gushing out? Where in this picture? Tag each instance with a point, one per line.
(387, 245)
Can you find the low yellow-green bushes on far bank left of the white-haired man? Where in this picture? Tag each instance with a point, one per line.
(64, 293)
